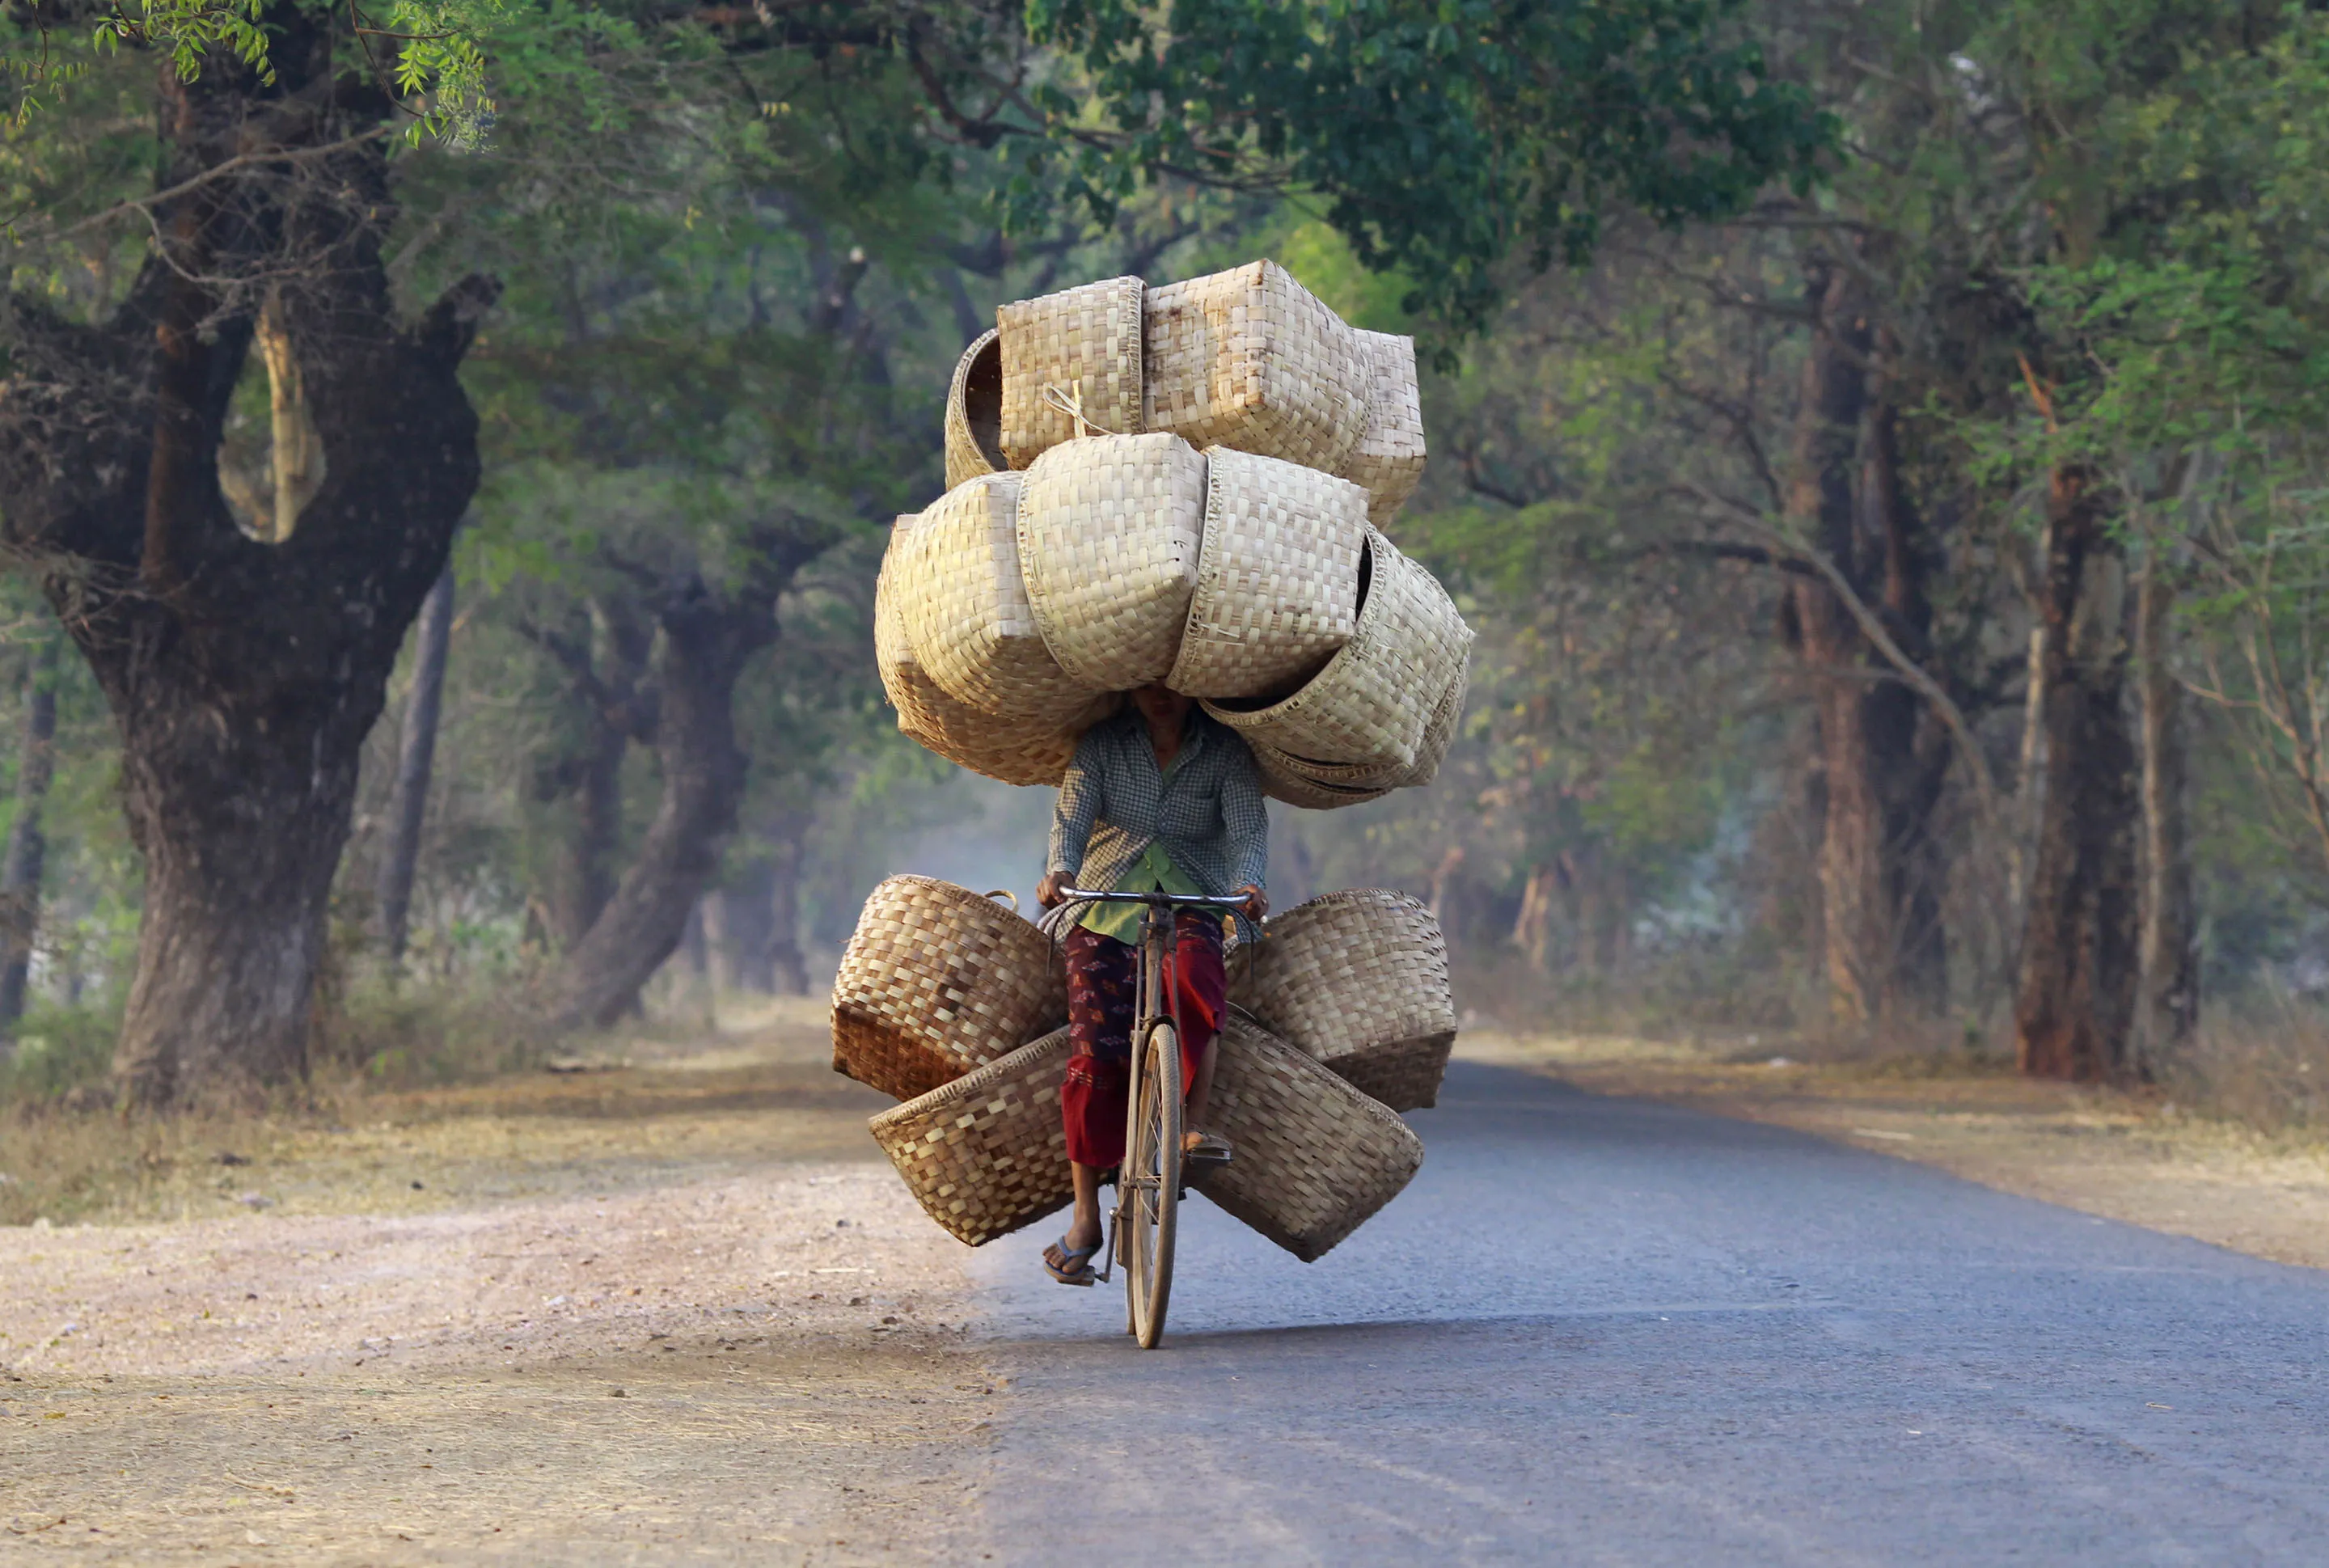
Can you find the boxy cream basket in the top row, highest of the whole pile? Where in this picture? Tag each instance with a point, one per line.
(1252, 360)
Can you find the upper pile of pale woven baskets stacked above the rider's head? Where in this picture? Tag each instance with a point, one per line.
(1187, 486)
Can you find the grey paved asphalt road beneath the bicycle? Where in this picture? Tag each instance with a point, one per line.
(1599, 1332)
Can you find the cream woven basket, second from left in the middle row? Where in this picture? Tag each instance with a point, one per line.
(1110, 535)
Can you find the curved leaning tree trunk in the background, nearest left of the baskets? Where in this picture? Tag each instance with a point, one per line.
(702, 651)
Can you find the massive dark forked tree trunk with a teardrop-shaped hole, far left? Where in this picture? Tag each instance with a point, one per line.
(243, 674)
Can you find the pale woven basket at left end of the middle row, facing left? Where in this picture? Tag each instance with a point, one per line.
(965, 609)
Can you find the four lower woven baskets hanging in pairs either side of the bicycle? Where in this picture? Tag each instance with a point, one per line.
(1340, 1019)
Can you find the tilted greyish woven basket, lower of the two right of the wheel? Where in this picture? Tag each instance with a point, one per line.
(1315, 1157)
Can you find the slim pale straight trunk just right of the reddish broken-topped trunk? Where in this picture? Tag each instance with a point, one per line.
(2167, 1010)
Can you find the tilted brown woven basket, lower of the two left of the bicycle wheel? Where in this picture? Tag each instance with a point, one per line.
(986, 1154)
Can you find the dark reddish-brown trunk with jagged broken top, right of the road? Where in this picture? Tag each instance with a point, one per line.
(2076, 1001)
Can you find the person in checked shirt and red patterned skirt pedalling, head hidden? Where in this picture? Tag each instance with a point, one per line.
(1156, 800)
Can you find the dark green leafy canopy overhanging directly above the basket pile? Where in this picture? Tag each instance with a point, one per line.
(1443, 136)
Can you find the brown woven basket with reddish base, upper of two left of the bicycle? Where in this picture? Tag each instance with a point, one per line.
(940, 982)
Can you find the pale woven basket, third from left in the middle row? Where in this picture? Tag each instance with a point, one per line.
(1277, 579)
